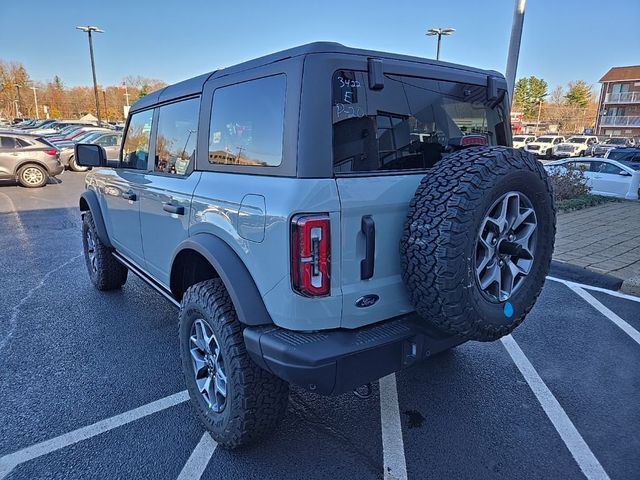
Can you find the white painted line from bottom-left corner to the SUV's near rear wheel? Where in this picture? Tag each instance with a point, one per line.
(12, 460)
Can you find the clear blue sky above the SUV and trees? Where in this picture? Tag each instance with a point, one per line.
(563, 39)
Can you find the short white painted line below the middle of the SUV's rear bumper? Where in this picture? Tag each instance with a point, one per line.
(395, 465)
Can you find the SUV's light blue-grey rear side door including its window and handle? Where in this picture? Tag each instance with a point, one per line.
(165, 197)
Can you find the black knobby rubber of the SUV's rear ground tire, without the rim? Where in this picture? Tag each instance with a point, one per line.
(256, 400)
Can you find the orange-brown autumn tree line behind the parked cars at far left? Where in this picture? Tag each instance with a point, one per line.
(18, 98)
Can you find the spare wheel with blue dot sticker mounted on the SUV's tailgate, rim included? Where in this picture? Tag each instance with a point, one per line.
(478, 240)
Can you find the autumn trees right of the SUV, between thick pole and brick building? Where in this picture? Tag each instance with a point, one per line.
(572, 107)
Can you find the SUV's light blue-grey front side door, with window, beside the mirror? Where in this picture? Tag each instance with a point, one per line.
(121, 188)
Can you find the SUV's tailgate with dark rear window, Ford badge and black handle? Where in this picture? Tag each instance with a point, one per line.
(384, 142)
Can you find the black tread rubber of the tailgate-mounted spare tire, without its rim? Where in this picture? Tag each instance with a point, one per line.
(439, 241)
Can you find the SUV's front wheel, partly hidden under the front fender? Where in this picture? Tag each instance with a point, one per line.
(105, 272)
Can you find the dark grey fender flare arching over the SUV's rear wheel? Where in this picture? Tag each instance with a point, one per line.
(239, 283)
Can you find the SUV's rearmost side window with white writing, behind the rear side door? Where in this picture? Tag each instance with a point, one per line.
(247, 123)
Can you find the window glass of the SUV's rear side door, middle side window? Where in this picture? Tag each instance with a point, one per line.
(177, 136)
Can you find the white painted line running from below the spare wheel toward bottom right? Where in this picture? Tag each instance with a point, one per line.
(579, 449)
